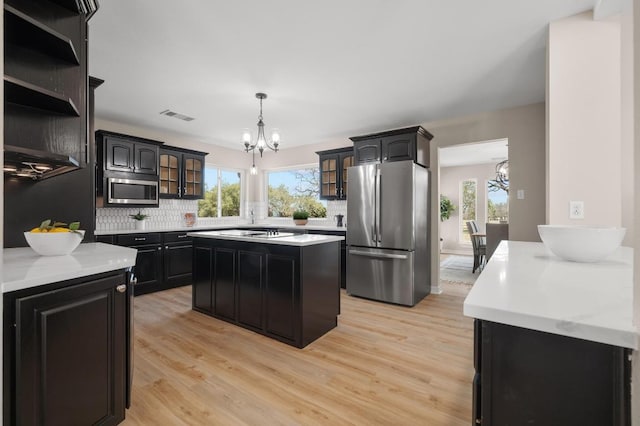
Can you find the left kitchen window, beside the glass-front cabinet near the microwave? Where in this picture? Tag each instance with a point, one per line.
(222, 193)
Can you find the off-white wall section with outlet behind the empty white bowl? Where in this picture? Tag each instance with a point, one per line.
(584, 120)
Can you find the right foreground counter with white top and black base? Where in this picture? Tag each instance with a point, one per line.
(552, 338)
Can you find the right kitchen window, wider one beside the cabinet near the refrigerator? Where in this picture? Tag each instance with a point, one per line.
(293, 189)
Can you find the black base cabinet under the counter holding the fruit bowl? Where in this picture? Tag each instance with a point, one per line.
(66, 357)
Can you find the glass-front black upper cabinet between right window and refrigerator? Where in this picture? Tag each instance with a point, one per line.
(333, 172)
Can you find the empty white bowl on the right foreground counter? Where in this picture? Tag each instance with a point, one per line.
(581, 243)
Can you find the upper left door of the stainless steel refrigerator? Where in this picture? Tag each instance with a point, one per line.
(361, 205)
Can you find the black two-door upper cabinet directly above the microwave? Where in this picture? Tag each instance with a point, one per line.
(121, 153)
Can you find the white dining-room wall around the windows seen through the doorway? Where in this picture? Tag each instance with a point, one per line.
(450, 179)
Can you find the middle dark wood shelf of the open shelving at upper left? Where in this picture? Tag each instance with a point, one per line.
(20, 92)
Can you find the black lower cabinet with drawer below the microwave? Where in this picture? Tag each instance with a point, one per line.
(148, 269)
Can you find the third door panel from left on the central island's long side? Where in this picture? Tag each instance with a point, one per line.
(250, 289)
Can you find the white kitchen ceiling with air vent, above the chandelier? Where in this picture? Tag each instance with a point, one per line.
(331, 69)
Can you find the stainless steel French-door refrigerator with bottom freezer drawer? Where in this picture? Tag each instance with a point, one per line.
(388, 232)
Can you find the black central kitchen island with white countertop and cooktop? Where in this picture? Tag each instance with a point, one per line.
(283, 285)
